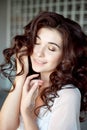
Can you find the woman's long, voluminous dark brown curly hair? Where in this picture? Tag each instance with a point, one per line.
(73, 66)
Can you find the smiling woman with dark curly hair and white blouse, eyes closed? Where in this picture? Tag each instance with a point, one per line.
(50, 87)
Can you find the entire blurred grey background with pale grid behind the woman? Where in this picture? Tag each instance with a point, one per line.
(15, 14)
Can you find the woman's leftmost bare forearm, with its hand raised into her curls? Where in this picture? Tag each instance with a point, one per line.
(12, 103)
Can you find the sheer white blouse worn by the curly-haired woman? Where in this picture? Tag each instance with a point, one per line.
(64, 114)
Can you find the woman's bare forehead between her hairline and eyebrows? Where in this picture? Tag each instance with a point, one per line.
(49, 35)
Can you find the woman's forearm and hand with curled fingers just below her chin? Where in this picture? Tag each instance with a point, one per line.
(29, 94)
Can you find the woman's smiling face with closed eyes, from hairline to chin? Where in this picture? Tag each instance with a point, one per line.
(47, 51)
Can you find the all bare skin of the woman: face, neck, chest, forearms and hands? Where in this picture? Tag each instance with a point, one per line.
(23, 99)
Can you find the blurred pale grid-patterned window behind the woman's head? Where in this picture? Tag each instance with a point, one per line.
(22, 11)
